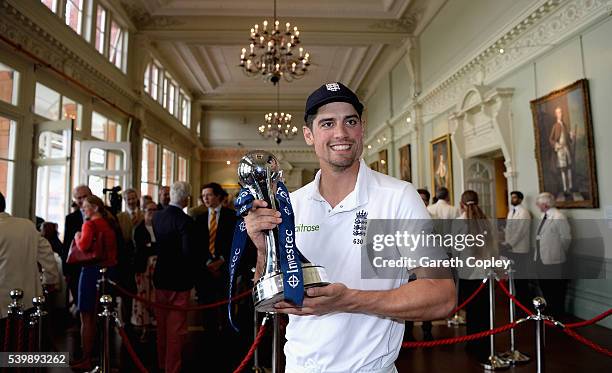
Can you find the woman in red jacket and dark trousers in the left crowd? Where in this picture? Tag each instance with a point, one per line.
(99, 225)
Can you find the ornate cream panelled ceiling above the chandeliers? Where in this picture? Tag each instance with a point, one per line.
(348, 40)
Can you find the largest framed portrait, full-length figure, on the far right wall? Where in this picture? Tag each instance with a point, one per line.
(564, 150)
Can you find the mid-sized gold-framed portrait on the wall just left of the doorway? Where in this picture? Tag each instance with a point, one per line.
(441, 164)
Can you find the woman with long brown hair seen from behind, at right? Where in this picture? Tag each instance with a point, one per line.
(475, 222)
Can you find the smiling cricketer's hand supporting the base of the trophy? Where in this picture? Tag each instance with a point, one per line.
(320, 301)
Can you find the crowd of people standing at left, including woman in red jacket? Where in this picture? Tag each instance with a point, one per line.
(155, 250)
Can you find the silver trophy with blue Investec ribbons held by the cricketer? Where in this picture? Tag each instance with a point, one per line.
(258, 171)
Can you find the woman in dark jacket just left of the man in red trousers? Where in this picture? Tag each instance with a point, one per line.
(144, 266)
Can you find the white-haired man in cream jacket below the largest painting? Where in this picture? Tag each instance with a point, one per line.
(553, 238)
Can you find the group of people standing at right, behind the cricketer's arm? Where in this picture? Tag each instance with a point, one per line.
(540, 268)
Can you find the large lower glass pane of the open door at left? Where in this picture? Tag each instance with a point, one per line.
(51, 194)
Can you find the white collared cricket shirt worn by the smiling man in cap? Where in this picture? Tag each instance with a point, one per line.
(347, 342)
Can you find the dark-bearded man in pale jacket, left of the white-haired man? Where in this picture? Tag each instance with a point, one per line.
(517, 242)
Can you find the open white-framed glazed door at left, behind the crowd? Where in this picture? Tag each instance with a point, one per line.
(52, 170)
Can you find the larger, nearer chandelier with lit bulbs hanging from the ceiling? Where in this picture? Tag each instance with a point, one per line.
(274, 53)
